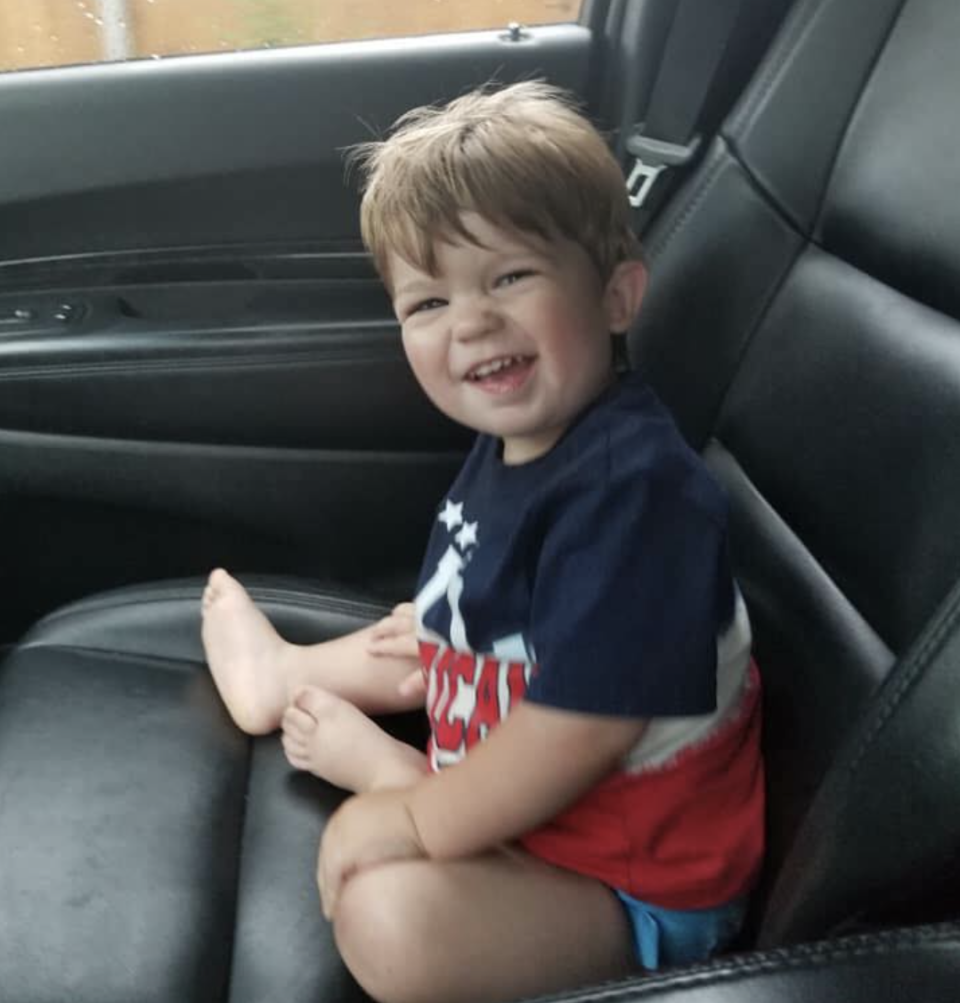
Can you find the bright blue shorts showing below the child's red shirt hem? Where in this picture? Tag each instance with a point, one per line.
(676, 937)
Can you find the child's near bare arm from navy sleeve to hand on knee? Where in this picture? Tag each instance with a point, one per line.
(538, 763)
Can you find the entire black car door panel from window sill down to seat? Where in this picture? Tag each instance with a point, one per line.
(198, 366)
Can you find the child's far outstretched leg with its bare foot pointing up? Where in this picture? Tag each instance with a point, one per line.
(257, 673)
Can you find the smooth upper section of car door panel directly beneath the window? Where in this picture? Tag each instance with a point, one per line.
(228, 149)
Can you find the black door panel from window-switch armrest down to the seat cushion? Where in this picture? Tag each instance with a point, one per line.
(170, 427)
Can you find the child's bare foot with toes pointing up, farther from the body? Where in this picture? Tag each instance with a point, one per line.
(245, 654)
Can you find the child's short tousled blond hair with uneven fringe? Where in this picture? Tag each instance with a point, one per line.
(522, 158)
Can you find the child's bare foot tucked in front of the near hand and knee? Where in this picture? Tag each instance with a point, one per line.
(331, 739)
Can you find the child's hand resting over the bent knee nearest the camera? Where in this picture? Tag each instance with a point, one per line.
(367, 830)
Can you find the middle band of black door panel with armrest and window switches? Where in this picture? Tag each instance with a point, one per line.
(273, 363)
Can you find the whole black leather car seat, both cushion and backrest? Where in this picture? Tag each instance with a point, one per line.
(803, 322)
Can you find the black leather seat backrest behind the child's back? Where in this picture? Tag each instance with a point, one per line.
(803, 324)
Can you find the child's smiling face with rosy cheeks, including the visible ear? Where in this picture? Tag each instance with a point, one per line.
(512, 339)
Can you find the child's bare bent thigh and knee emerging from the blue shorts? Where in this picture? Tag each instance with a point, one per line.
(498, 927)
